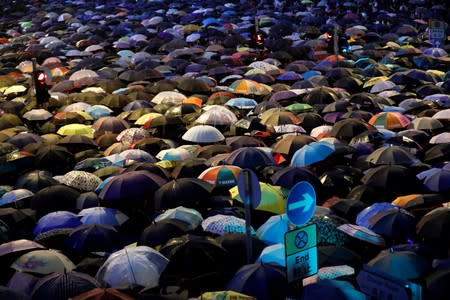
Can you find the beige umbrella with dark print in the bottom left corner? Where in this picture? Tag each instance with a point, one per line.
(43, 262)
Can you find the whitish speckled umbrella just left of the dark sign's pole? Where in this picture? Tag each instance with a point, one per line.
(223, 224)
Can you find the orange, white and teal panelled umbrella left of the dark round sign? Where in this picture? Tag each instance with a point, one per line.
(221, 176)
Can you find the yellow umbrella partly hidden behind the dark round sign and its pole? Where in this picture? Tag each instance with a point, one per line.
(273, 197)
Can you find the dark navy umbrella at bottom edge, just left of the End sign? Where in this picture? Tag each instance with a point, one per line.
(260, 280)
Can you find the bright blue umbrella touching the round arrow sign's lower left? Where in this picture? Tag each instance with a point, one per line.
(273, 230)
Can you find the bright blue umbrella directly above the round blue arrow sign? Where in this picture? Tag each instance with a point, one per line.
(311, 153)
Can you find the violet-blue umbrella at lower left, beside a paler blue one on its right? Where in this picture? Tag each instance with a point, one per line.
(57, 219)
